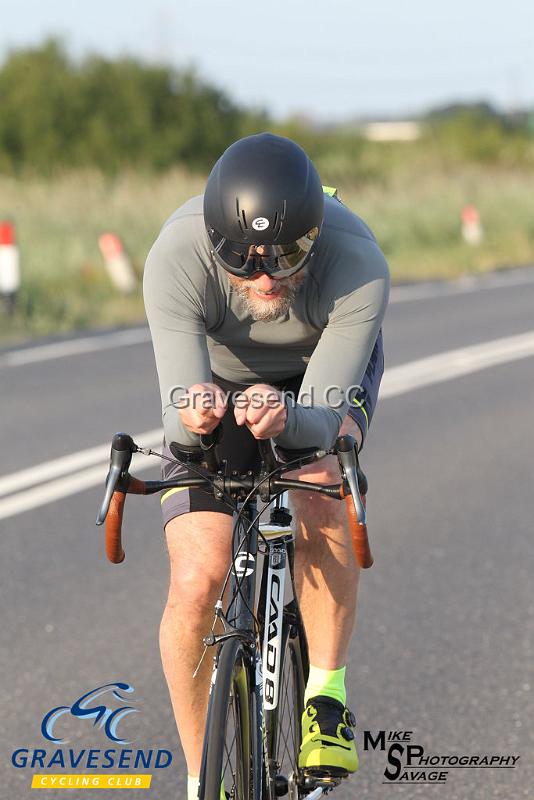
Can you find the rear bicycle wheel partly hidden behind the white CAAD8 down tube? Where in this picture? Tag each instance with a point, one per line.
(283, 724)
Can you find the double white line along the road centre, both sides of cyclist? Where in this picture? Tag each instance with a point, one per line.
(64, 476)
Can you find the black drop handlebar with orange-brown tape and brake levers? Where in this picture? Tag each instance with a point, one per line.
(119, 483)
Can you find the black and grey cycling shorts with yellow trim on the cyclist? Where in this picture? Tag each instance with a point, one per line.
(239, 448)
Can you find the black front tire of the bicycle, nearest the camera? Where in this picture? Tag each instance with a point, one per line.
(228, 747)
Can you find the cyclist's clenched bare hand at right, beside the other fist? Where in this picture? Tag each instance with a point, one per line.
(262, 409)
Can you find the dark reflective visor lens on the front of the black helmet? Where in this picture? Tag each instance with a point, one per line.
(278, 260)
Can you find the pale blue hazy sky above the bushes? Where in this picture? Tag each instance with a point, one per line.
(328, 60)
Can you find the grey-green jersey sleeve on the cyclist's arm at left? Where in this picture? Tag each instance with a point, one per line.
(175, 307)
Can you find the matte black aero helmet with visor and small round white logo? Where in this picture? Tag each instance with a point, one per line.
(263, 207)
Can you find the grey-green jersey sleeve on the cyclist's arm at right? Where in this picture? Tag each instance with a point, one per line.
(358, 293)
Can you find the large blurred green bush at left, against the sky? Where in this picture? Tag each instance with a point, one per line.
(110, 114)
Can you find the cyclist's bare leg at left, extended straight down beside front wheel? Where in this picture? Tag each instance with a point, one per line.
(199, 551)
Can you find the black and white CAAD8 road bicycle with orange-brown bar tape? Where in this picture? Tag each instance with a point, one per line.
(260, 662)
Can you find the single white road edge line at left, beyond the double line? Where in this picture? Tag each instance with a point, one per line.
(74, 347)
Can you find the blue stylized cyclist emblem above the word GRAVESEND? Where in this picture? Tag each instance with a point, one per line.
(90, 706)
